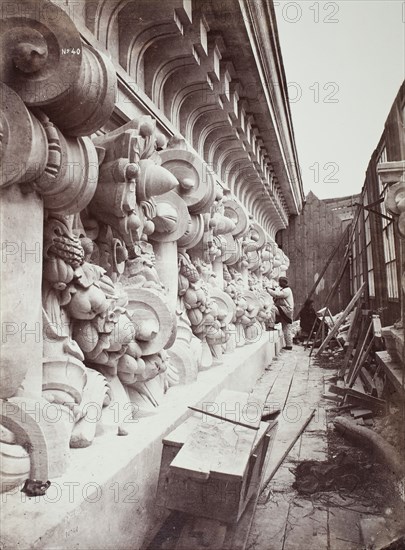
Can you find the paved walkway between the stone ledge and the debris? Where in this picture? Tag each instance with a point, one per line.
(284, 519)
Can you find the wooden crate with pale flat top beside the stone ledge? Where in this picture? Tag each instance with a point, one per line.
(211, 468)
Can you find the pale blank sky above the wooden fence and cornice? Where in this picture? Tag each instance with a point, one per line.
(344, 63)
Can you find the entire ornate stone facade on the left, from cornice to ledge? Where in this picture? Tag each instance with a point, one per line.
(148, 163)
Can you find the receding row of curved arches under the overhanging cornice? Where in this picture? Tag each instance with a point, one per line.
(170, 53)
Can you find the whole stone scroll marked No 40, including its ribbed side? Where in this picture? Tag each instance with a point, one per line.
(47, 64)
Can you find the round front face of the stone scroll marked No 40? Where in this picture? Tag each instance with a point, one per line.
(42, 54)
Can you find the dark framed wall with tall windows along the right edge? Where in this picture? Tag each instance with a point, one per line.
(376, 241)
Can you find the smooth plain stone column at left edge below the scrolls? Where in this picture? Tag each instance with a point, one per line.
(21, 278)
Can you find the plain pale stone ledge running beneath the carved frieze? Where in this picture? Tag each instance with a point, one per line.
(106, 499)
